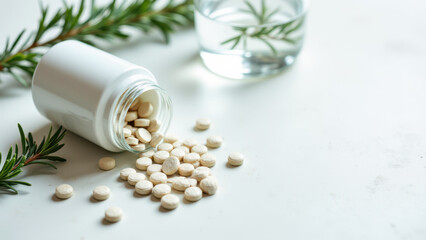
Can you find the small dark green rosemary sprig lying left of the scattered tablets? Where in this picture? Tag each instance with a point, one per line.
(32, 153)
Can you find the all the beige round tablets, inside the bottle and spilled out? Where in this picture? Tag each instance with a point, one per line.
(184, 166)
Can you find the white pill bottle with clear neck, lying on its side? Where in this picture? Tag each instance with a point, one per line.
(89, 92)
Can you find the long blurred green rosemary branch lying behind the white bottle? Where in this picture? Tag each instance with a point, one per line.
(105, 22)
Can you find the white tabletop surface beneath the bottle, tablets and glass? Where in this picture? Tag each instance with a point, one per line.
(335, 145)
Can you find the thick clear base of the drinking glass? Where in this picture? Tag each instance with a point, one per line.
(241, 67)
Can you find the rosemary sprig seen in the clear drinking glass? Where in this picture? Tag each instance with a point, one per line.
(264, 34)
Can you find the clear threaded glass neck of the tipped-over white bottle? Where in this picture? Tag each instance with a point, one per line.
(145, 89)
